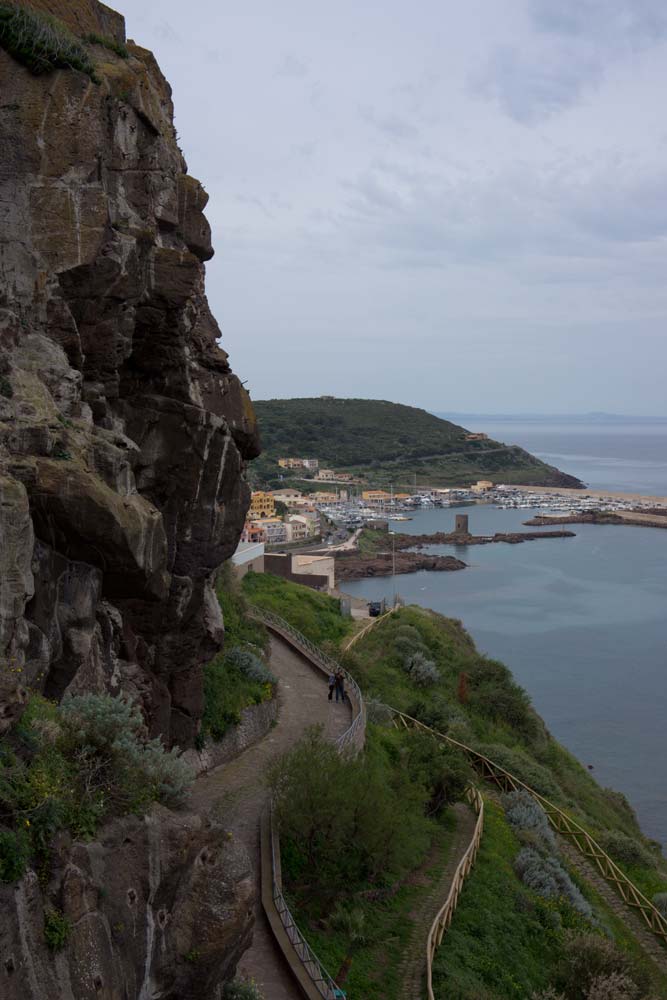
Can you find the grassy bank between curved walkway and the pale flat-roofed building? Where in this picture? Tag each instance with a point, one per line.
(314, 614)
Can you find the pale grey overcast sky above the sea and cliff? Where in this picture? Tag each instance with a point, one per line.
(459, 206)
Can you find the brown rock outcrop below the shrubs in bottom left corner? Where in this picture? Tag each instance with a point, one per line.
(156, 907)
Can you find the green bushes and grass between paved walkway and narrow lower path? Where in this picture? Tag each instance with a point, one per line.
(354, 832)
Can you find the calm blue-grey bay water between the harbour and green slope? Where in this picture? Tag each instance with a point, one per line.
(582, 623)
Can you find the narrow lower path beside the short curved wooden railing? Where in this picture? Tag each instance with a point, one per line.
(413, 966)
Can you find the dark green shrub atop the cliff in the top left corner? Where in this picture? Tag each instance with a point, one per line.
(40, 42)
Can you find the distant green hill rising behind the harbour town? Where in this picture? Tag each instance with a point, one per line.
(389, 443)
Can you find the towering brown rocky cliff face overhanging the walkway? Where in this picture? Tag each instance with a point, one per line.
(123, 432)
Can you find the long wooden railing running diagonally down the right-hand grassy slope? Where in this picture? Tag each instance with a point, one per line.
(562, 824)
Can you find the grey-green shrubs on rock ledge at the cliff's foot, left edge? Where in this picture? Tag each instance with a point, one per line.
(71, 767)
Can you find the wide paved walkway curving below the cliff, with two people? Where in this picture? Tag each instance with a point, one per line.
(236, 793)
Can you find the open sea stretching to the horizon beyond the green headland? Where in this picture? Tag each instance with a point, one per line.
(617, 456)
